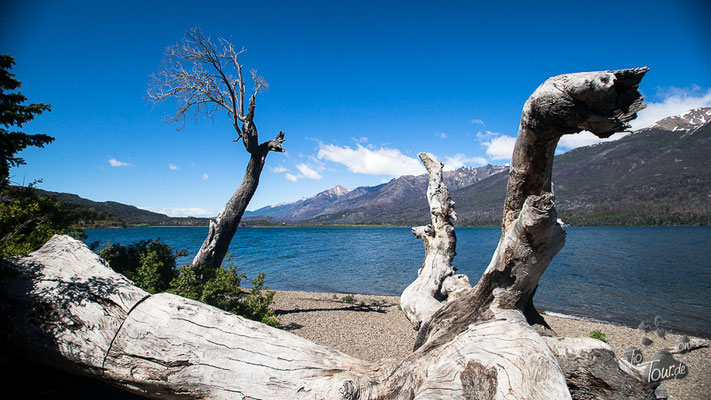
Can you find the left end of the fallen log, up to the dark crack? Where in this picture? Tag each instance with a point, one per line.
(68, 304)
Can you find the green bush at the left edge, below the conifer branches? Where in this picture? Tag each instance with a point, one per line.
(27, 221)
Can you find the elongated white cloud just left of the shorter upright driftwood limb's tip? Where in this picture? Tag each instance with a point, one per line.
(372, 161)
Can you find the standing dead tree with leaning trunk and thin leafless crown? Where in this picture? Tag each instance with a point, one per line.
(205, 78)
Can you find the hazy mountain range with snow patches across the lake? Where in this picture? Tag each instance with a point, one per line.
(658, 175)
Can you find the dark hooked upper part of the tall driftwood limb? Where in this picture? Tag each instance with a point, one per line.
(601, 102)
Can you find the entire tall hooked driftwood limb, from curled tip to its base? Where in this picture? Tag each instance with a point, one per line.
(602, 102)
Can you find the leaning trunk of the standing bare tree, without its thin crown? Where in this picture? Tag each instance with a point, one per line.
(223, 228)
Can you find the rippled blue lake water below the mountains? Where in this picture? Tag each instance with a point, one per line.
(617, 274)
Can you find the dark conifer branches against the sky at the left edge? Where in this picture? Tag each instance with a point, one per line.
(14, 114)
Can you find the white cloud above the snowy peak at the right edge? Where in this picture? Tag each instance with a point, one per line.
(676, 102)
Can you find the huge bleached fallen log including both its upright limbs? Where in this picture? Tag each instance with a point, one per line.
(67, 308)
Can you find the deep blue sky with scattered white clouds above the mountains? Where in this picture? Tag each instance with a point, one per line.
(349, 81)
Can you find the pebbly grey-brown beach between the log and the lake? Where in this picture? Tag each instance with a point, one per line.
(373, 327)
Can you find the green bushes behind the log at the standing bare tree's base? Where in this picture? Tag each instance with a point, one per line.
(151, 265)
